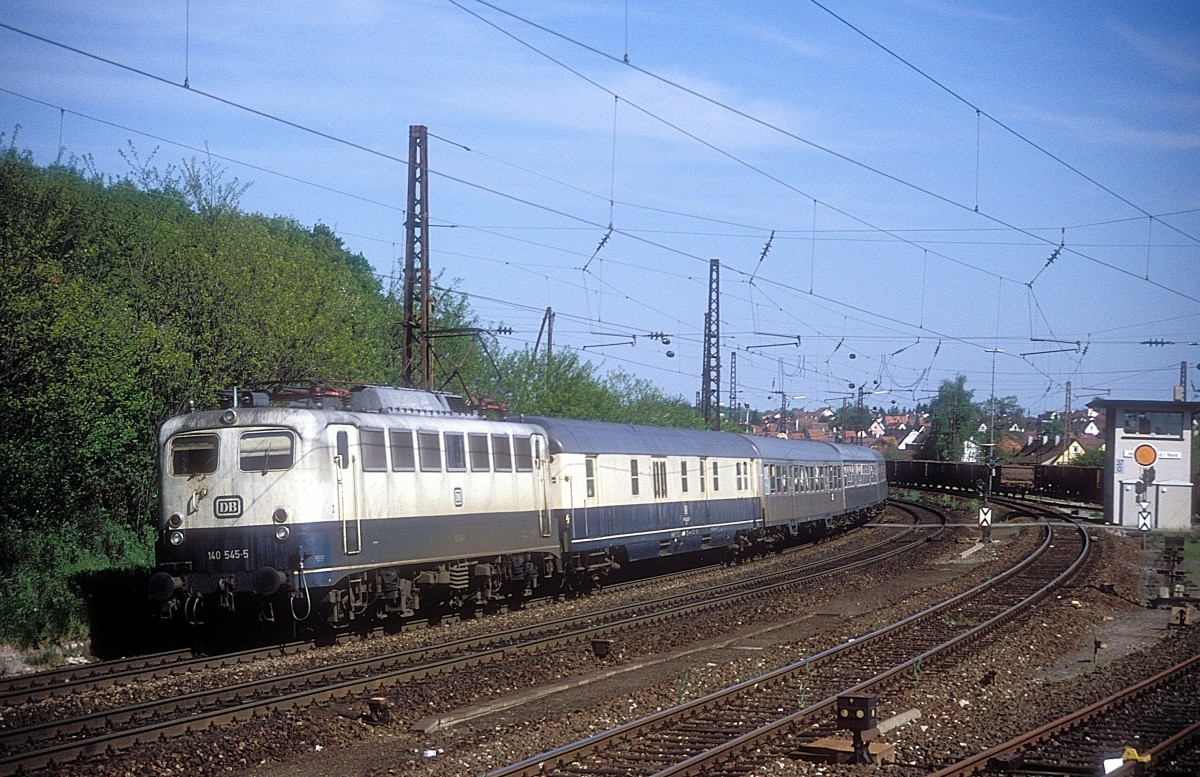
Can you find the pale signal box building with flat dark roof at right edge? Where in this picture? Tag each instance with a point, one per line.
(1148, 466)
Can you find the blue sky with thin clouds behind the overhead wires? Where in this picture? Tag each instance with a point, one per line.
(919, 162)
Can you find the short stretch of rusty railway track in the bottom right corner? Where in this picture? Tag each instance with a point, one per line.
(1160, 718)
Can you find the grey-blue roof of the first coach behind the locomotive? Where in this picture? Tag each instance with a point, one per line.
(567, 436)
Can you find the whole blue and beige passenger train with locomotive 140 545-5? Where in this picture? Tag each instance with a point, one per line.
(329, 507)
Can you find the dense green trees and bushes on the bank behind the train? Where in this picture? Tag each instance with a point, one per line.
(122, 300)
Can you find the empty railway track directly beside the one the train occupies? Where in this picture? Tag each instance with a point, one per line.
(56, 742)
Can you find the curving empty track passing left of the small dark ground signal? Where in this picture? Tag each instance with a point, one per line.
(742, 728)
